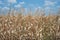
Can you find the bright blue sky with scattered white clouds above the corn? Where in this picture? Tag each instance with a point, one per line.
(43, 4)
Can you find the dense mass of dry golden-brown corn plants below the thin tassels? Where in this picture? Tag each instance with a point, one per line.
(29, 27)
